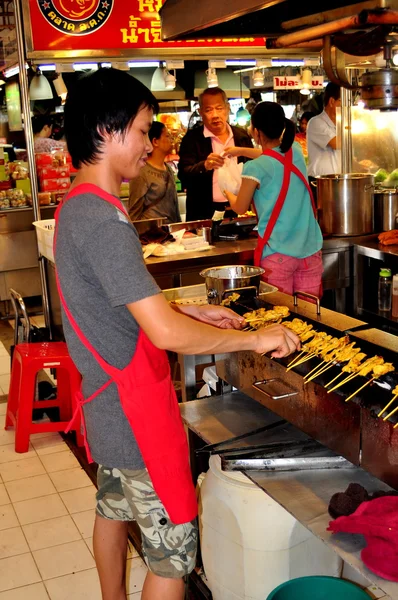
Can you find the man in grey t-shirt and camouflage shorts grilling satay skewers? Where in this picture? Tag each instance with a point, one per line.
(117, 326)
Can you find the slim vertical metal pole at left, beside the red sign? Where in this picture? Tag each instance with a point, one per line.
(25, 99)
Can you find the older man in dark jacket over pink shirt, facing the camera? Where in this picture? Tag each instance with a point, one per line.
(201, 155)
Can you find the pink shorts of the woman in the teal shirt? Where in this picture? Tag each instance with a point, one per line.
(291, 274)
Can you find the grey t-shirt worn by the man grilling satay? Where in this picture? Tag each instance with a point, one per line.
(101, 269)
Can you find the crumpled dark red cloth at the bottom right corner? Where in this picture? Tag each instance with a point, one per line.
(377, 520)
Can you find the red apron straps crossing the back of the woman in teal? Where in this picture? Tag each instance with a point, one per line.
(289, 168)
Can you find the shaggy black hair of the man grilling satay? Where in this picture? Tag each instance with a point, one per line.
(102, 102)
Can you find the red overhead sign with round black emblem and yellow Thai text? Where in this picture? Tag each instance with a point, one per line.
(109, 24)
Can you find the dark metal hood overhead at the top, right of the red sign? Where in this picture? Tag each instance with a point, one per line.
(185, 18)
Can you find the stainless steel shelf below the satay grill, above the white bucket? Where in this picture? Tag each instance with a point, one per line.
(304, 494)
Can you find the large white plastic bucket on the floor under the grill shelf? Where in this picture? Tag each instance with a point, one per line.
(249, 543)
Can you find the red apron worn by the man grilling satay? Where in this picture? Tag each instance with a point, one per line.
(149, 402)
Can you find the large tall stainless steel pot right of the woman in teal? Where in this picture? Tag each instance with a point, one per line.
(346, 204)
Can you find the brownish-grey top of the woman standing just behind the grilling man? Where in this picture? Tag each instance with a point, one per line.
(153, 194)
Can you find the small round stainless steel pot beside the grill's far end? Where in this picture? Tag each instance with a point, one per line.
(220, 280)
